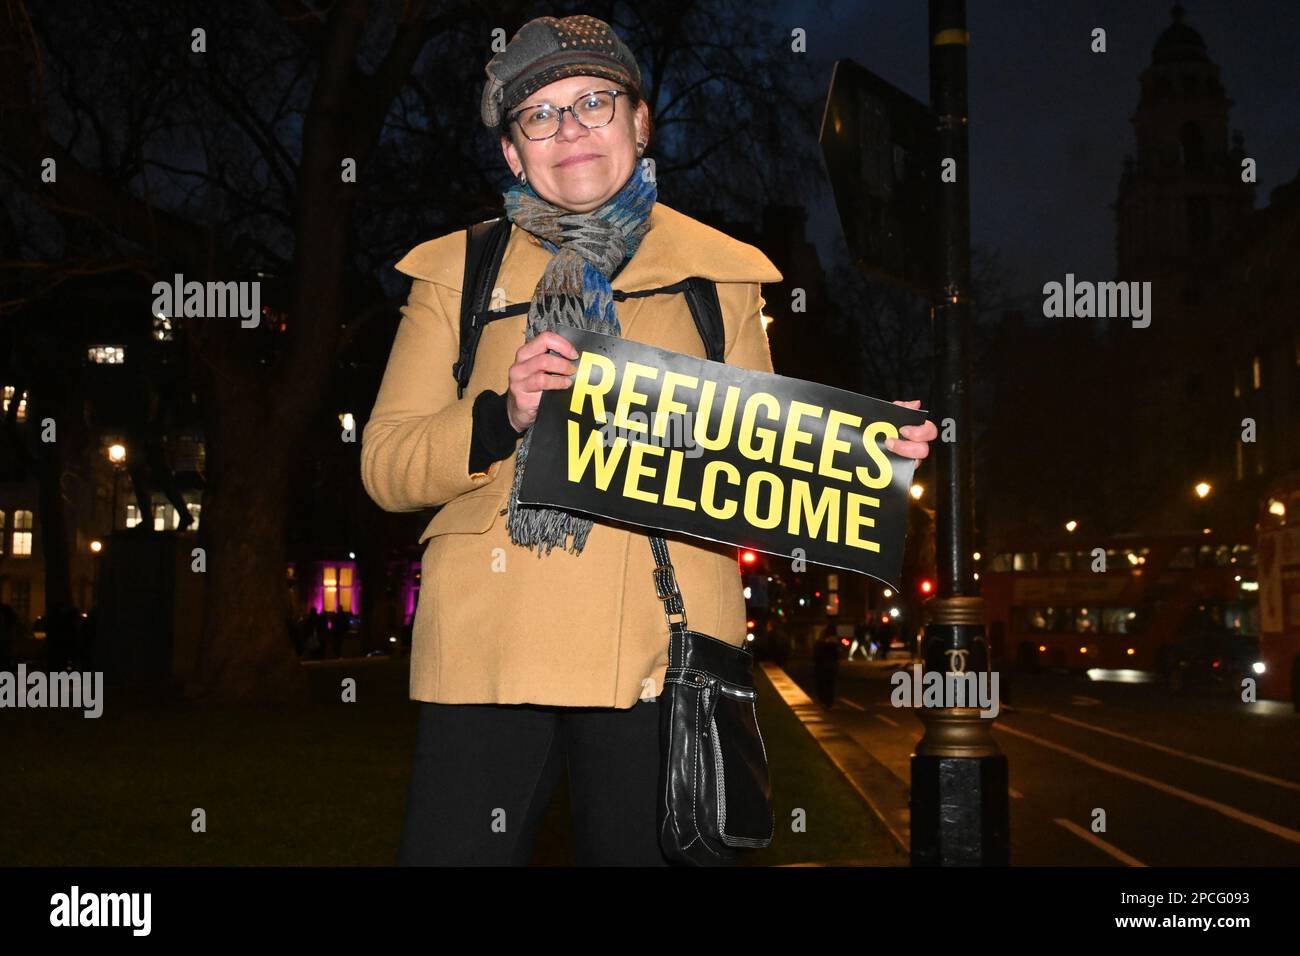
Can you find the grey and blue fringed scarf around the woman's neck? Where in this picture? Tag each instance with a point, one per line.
(574, 291)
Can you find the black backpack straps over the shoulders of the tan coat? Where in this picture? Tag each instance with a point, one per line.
(486, 248)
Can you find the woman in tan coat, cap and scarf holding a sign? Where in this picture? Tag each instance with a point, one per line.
(532, 654)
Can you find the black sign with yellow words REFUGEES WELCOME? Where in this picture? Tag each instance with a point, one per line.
(681, 444)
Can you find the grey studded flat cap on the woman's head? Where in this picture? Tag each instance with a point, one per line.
(547, 50)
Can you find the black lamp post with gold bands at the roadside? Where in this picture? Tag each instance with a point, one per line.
(960, 812)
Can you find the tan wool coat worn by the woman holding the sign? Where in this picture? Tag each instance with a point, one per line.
(496, 622)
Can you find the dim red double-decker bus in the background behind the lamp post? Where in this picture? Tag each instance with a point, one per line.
(1051, 605)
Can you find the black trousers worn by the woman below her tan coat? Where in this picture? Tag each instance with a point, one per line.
(484, 776)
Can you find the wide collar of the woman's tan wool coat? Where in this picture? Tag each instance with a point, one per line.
(674, 248)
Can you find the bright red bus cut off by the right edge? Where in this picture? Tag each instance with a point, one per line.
(1280, 591)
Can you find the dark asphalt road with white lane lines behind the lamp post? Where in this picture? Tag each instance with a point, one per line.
(1184, 781)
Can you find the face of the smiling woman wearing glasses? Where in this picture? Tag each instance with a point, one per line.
(586, 185)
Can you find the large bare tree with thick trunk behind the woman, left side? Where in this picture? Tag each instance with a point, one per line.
(214, 140)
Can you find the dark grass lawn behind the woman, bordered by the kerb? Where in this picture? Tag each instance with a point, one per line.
(318, 786)
